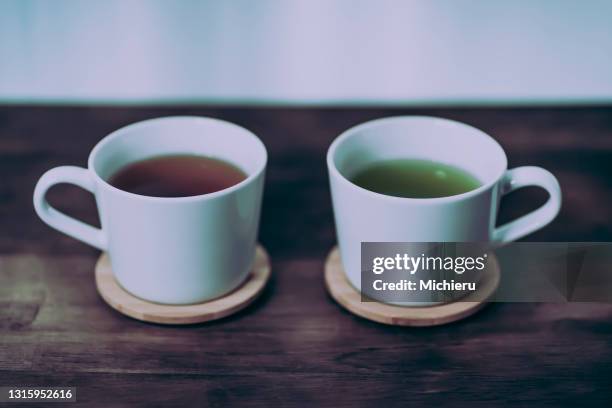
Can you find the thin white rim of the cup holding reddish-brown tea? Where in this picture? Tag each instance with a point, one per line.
(120, 133)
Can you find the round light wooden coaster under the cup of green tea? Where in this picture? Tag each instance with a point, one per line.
(346, 295)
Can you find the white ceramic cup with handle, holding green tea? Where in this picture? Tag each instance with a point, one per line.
(365, 216)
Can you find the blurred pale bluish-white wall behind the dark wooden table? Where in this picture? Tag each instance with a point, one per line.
(309, 51)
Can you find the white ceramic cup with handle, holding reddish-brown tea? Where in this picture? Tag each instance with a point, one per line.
(169, 250)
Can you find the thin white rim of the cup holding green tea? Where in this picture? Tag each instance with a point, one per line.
(348, 133)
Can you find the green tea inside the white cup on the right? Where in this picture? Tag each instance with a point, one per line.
(413, 178)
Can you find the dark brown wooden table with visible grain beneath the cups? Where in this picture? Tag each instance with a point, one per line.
(295, 346)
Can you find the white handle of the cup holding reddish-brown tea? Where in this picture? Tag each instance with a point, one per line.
(60, 221)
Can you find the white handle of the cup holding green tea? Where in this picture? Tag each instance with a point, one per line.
(523, 177)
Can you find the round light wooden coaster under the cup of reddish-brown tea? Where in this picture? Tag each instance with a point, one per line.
(130, 305)
